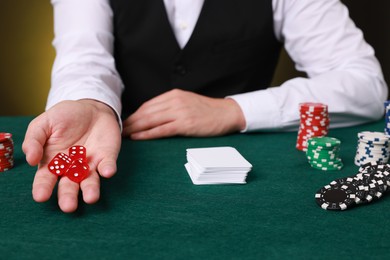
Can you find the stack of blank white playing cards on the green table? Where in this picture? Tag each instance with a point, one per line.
(217, 165)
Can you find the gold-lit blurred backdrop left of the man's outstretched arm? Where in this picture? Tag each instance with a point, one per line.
(26, 55)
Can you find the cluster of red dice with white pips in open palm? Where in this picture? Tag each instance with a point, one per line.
(74, 166)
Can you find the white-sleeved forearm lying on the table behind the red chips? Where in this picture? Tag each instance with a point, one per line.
(352, 99)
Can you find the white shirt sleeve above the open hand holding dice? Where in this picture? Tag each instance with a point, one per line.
(84, 67)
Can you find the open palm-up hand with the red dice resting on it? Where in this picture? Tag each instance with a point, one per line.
(84, 123)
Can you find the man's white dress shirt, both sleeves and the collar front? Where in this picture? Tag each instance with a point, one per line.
(318, 35)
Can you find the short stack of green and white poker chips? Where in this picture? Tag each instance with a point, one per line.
(323, 153)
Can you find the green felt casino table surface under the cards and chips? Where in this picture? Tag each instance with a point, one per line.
(151, 210)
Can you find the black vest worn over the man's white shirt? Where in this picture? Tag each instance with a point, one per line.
(232, 50)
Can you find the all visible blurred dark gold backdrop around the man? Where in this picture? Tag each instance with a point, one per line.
(26, 53)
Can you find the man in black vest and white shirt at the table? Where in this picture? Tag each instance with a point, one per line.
(192, 68)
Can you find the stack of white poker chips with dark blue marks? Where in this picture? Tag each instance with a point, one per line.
(372, 147)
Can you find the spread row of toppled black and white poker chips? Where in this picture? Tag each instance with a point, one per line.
(368, 185)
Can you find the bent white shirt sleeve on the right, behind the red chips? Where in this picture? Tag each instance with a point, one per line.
(342, 69)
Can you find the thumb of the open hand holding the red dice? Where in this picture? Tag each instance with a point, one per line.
(35, 140)
